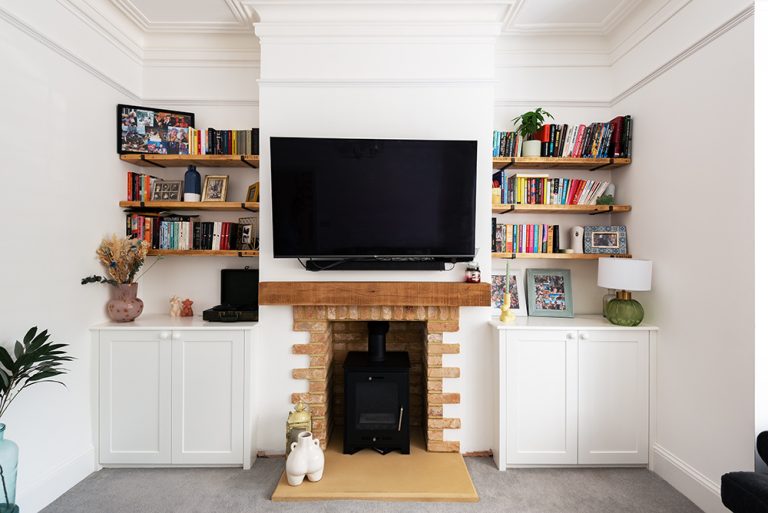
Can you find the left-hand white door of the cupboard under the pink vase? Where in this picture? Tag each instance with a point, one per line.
(135, 397)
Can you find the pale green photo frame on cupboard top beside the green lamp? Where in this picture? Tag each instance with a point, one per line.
(549, 293)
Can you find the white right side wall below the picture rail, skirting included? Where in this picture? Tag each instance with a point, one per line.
(693, 215)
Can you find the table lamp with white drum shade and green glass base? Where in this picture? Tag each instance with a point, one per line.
(624, 275)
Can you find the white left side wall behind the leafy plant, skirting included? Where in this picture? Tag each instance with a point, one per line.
(61, 185)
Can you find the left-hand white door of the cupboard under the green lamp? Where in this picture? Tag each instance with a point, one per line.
(541, 397)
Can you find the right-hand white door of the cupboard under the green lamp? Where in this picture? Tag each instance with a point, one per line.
(613, 397)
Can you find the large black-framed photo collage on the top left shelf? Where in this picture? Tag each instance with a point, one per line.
(150, 130)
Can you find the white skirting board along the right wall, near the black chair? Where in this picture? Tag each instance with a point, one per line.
(704, 492)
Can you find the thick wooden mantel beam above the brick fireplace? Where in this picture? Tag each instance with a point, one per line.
(365, 293)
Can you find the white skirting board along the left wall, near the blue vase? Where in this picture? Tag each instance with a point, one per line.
(57, 481)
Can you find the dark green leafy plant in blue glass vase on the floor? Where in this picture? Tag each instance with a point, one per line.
(34, 360)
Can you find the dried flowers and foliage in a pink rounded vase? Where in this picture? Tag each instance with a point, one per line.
(122, 257)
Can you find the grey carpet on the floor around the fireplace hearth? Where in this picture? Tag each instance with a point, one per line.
(238, 491)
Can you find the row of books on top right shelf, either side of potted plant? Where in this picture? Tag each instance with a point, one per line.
(596, 140)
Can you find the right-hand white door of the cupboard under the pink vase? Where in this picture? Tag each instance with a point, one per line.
(208, 397)
